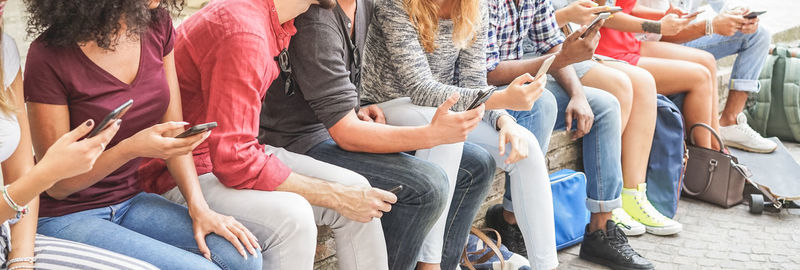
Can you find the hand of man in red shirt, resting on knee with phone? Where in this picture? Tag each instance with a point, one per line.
(362, 204)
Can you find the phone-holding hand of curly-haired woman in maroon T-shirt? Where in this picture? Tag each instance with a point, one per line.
(152, 142)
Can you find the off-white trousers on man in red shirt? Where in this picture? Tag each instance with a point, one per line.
(285, 223)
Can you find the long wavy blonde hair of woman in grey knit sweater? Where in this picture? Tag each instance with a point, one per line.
(424, 16)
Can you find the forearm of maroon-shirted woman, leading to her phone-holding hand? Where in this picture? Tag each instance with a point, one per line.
(108, 162)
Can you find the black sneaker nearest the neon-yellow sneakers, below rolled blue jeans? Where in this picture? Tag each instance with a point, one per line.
(611, 249)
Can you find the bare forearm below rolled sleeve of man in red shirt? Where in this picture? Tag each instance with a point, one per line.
(317, 192)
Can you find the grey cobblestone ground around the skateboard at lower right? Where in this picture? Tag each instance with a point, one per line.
(716, 238)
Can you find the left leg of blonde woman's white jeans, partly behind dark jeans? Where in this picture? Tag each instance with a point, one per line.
(447, 156)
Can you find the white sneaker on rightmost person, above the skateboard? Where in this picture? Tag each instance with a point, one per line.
(742, 136)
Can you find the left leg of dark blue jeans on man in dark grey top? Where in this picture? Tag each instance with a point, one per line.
(418, 206)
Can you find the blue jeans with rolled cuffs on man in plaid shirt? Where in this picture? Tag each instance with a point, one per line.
(601, 146)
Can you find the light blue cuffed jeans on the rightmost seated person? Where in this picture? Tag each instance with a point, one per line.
(752, 50)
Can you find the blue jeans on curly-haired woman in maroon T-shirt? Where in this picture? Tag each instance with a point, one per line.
(150, 228)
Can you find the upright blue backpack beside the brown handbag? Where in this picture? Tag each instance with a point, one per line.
(667, 158)
